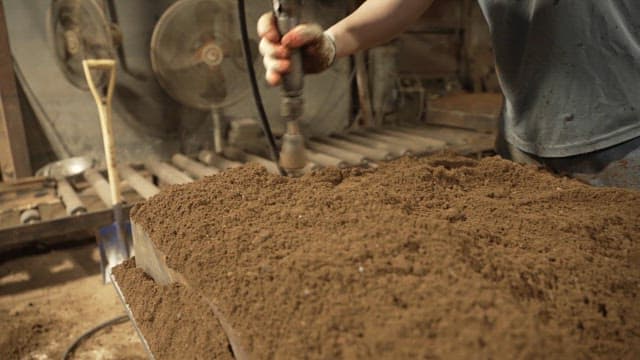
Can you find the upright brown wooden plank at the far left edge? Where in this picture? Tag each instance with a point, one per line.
(14, 154)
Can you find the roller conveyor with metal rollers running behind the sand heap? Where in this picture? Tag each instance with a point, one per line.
(85, 203)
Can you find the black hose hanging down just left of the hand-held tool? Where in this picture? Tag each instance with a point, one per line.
(273, 148)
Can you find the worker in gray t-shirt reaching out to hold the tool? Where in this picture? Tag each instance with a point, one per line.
(569, 72)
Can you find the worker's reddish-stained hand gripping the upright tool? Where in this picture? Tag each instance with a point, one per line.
(318, 48)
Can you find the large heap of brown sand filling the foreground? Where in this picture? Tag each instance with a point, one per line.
(439, 257)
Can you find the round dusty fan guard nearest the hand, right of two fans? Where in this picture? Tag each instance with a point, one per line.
(197, 56)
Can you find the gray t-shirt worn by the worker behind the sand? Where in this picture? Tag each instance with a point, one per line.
(570, 72)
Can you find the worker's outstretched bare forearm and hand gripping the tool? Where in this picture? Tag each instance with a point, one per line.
(373, 23)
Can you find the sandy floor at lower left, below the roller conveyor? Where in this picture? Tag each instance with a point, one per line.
(49, 299)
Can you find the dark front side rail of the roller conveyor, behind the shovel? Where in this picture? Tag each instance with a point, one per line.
(21, 236)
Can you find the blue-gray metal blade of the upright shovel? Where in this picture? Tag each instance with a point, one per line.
(113, 242)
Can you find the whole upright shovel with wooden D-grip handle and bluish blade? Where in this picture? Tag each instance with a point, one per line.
(112, 239)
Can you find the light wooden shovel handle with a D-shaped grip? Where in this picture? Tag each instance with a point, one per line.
(103, 101)
